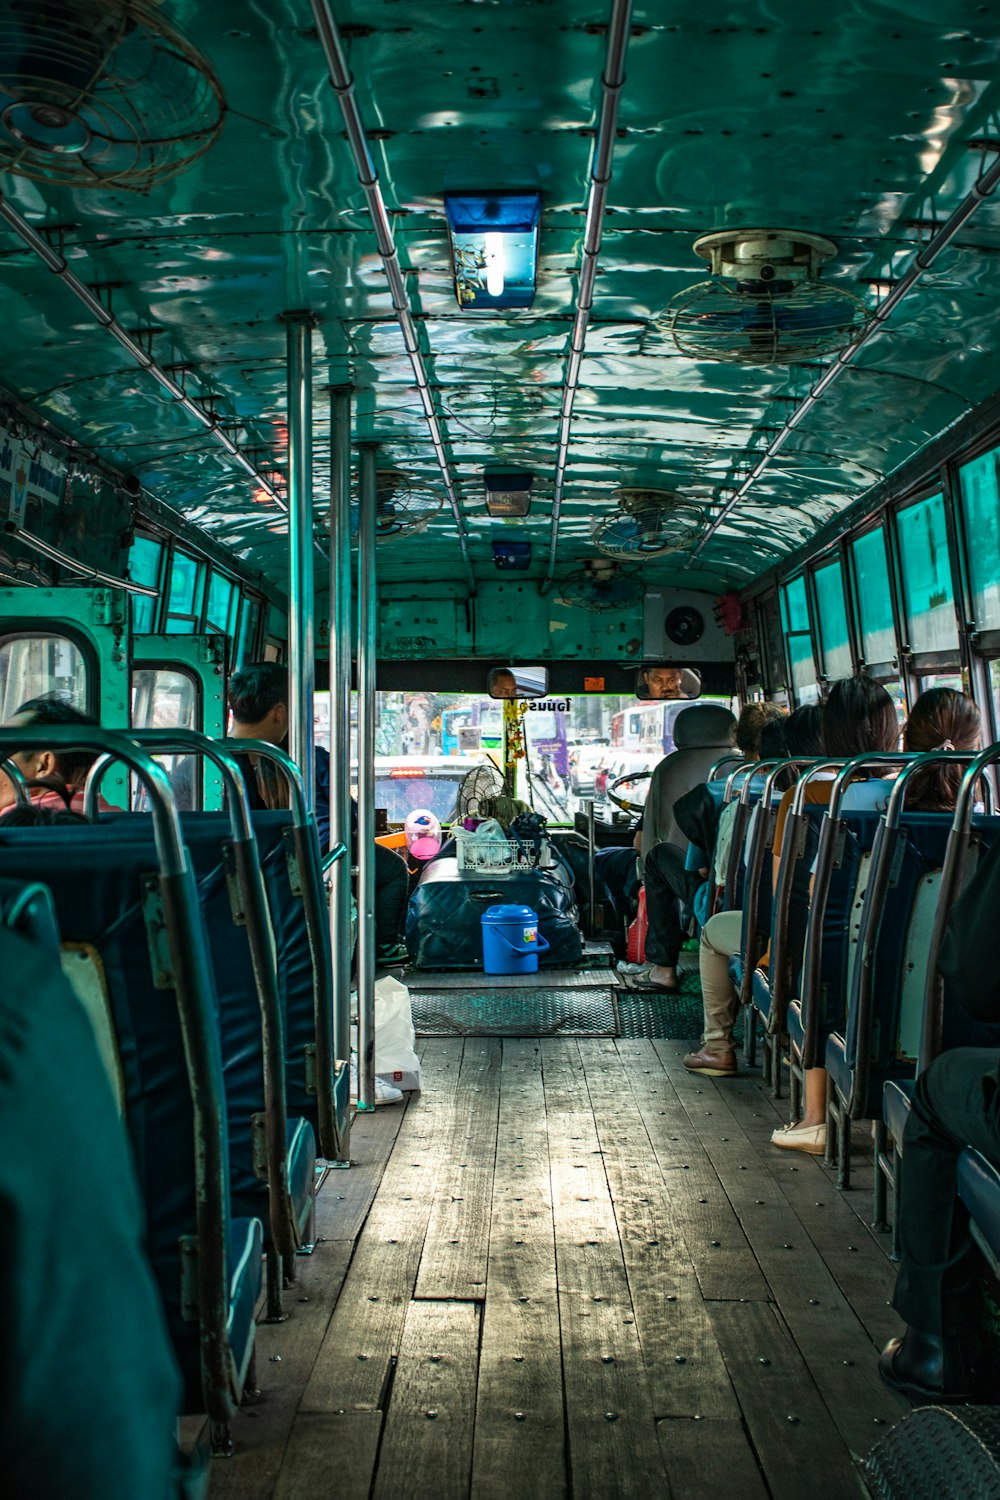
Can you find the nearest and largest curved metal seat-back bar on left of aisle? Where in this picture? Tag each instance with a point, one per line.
(185, 935)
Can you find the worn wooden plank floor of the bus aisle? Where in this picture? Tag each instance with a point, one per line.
(572, 1271)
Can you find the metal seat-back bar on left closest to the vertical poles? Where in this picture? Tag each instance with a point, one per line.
(307, 853)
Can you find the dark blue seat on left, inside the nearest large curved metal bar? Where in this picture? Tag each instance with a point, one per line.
(101, 878)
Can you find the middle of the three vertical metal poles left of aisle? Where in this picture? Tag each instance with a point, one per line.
(341, 737)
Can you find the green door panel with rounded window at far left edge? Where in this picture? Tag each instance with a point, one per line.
(70, 643)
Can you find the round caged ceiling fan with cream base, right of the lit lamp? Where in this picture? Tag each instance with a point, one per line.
(765, 302)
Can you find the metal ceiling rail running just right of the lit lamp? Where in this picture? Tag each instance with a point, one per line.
(612, 80)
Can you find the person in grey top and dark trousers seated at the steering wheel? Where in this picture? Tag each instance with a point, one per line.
(701, 736)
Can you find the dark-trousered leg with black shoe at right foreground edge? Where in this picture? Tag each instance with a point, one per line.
(956, 1105)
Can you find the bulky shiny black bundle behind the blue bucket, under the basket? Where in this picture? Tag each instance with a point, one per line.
(445, 920)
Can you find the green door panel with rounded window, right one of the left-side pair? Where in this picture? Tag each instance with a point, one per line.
(181, 683)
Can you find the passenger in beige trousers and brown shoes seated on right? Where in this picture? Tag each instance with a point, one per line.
(797, 736)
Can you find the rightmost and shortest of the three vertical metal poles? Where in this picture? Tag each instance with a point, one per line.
(367, 776)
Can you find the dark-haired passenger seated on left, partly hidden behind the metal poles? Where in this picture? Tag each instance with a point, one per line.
(259, 700)
